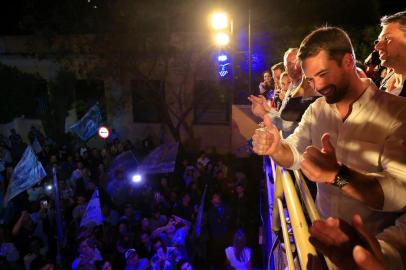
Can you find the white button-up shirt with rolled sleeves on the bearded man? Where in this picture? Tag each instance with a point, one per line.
(371, 140)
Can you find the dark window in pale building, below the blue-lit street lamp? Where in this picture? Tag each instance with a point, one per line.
(211, 103)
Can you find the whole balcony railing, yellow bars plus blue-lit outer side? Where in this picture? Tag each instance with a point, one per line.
(291, 209)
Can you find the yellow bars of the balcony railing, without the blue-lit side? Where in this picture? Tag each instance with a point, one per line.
(284, 188)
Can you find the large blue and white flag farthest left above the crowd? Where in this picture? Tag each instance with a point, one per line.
(27, 173)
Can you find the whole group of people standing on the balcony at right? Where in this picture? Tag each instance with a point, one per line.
(346, 132)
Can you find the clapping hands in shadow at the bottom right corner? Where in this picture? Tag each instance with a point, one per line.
(352, 246)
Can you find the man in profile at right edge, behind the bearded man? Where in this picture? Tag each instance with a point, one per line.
(391, 46)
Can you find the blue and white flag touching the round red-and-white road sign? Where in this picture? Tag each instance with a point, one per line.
(88, 125)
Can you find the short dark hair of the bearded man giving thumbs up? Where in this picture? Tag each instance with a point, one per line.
(333, 40)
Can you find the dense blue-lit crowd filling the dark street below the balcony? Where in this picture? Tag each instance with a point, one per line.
(150, 225)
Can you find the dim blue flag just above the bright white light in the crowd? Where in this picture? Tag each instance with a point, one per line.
(160, 160)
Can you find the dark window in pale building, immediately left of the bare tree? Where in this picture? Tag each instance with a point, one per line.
(146, 97)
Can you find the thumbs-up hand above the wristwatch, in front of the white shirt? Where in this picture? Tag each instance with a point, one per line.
(320, 165)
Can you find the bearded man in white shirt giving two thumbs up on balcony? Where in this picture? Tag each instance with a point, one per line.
(354, 172)
